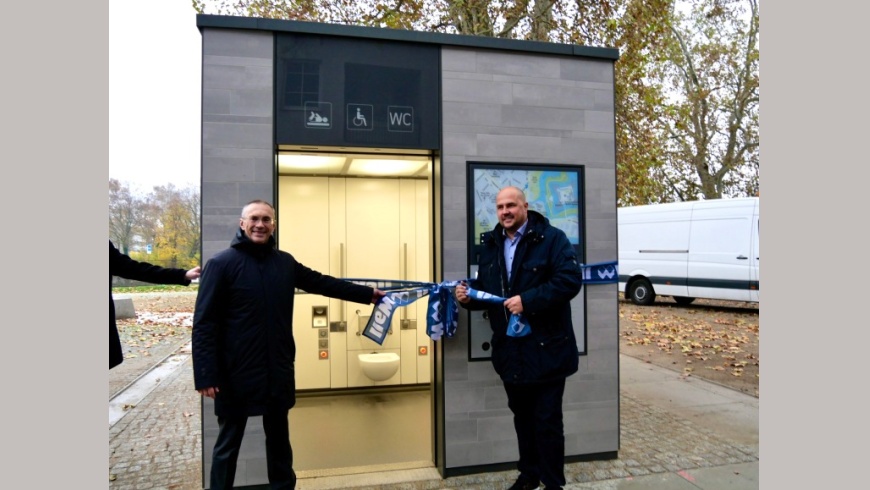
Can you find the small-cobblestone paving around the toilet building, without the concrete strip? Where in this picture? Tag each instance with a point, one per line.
(157, 445)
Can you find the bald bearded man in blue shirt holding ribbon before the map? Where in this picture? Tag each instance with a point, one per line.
(535, 268)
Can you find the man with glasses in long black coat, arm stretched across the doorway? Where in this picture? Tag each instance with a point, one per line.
(243, 347)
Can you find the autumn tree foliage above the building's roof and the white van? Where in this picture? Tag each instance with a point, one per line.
(686, 82)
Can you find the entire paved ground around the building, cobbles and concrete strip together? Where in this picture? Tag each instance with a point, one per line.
(676, 433)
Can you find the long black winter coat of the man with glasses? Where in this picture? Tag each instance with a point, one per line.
(243, 324)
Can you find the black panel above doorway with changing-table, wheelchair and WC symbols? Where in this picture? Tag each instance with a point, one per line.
(335, 91)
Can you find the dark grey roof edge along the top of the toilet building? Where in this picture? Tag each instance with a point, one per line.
(276, 25)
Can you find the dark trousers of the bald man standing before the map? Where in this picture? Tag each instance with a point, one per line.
(537, 410)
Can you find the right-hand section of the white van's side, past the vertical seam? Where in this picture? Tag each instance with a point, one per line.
(720, 251)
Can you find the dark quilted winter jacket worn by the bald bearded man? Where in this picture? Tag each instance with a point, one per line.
(546, 274)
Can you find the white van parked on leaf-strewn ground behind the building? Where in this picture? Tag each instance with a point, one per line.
(687, 250)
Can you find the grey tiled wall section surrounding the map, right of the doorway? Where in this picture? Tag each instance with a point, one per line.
(560, 110)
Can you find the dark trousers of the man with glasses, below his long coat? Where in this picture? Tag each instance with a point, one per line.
(279, 454)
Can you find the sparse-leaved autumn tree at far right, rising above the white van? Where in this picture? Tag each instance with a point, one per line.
(712, 119)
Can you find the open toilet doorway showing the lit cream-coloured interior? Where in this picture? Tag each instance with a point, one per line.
(358, 215)
